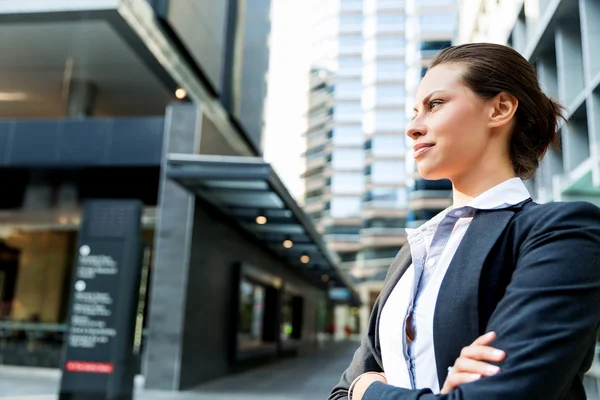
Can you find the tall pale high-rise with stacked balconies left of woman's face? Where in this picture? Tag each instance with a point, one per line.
(358, 173)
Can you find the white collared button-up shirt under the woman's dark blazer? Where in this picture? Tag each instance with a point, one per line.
(397, 355)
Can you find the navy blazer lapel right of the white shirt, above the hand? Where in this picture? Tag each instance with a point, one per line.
(456, 317)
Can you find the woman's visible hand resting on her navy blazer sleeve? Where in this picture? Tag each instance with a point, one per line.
(472, 363)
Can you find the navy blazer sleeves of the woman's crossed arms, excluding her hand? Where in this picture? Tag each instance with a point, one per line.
(546, 322)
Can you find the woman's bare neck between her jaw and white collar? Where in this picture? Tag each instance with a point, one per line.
(477, 181)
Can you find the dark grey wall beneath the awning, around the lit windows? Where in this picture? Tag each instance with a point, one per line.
(217, 247)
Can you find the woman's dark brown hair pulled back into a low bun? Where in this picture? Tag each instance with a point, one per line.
(493, 68)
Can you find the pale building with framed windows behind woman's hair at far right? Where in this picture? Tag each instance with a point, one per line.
(557, 37)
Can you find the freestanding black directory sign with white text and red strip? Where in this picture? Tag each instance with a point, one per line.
(98, 355)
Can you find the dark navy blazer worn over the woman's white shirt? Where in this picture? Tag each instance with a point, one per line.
(531, 273)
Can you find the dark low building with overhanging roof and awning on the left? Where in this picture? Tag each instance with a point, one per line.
(162, 102)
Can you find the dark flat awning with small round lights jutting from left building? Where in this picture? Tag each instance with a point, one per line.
(248, 190)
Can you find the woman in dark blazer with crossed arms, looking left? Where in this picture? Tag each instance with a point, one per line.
(495, 269)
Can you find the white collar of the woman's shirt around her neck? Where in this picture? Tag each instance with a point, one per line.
(508, 193)
